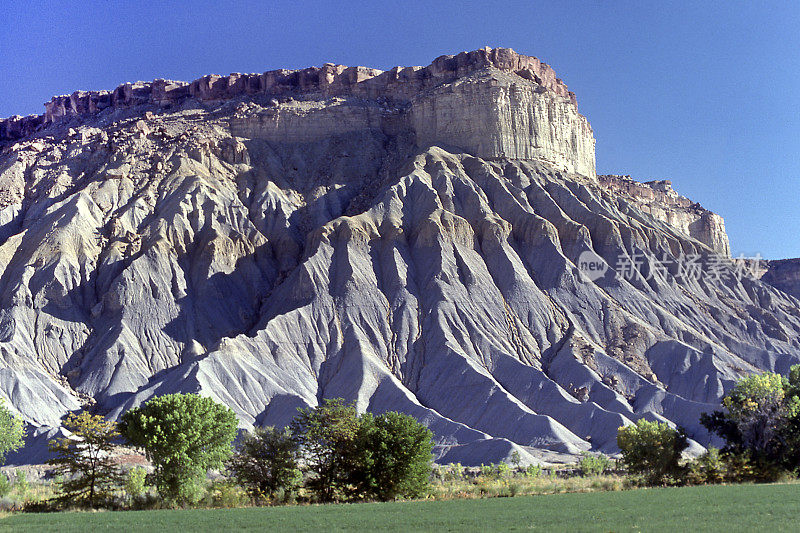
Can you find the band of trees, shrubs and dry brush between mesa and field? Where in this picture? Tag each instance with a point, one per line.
(331, 453)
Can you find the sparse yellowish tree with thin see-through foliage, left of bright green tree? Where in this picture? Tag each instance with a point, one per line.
(84, 460)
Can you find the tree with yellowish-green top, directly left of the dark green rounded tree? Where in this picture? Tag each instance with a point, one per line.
(327, 435)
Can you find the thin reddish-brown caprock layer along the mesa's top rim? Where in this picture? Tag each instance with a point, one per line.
(399, 83)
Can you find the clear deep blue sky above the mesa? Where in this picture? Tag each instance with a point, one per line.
(702, 93)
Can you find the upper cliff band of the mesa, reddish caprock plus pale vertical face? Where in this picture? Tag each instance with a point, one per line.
(476, 102)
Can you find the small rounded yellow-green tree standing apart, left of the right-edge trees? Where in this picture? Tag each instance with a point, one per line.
(652, 449)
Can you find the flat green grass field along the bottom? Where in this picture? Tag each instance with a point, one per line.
(706, 508)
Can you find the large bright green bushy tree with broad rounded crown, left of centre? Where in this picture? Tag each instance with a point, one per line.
(183, 435)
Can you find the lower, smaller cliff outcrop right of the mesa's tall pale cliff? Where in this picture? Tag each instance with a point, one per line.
(660, 200)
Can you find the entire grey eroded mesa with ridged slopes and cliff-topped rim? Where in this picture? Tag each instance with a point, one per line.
(409, 240)
